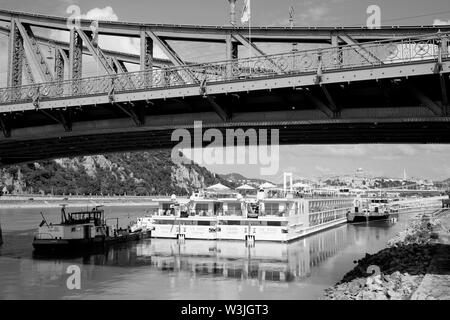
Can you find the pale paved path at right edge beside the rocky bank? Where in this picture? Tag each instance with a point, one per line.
(436, 283)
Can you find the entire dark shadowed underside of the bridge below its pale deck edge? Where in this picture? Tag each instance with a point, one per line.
(368, 112)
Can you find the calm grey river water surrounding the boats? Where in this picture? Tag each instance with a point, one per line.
(167, 269)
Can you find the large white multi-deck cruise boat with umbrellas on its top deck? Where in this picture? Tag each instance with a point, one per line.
(273, 215)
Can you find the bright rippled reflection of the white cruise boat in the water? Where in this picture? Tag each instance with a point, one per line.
(260, 263)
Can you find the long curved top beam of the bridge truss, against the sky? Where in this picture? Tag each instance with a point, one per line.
(264, 34)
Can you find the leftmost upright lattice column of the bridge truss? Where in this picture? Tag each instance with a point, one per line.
(15, 56)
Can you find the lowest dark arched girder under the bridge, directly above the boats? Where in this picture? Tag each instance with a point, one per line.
(350, 133)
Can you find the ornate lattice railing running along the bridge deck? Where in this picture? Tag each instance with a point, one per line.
(316, 61)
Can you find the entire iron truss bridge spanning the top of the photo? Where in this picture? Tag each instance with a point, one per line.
(325, 85)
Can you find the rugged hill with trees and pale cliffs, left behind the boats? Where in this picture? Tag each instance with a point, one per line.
(140, 173)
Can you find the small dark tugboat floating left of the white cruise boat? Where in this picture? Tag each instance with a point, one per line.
(82, 231)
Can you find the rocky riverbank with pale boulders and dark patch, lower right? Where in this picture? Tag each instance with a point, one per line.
(393, 273)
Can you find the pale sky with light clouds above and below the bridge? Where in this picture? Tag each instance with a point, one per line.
(427, 161)
